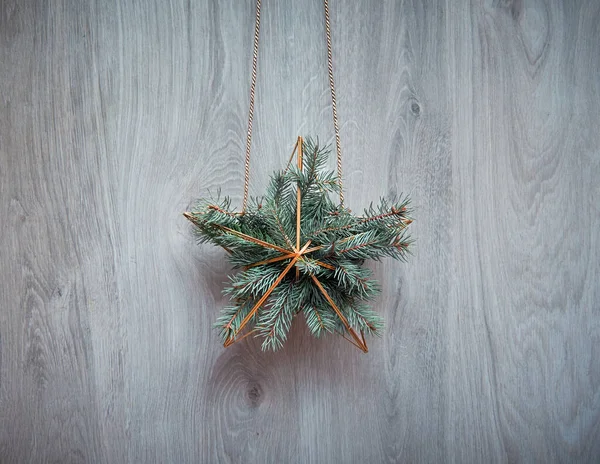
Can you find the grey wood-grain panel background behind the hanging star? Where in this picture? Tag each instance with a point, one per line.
(115, 116)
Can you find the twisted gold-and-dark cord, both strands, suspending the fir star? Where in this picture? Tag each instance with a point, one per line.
(336, 128)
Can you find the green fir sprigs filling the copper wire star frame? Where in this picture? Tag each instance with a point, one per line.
(340, 241)
